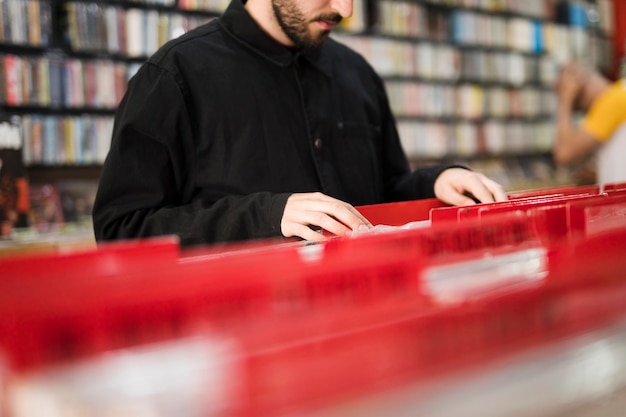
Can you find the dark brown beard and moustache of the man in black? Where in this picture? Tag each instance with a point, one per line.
(295, 25)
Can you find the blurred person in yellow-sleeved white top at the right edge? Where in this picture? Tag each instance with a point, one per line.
(602, 132)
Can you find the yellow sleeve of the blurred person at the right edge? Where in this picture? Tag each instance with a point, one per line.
(607, 112)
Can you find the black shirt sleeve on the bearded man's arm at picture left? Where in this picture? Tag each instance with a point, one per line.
(147, 186)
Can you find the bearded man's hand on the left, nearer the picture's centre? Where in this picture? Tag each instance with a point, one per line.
(305, 212)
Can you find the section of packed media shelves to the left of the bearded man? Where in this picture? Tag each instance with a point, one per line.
(66, 65)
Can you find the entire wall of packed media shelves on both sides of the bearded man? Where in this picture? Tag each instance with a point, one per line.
(469, 81)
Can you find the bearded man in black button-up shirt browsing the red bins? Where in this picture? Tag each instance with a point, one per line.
(256, 125)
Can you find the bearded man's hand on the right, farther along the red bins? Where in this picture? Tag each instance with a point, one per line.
(456, 186)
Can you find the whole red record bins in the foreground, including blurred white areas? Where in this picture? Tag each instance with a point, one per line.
(407, 319)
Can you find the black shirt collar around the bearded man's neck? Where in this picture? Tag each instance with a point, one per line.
(237, 21)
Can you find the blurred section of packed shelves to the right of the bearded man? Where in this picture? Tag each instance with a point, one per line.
(473, 82)
